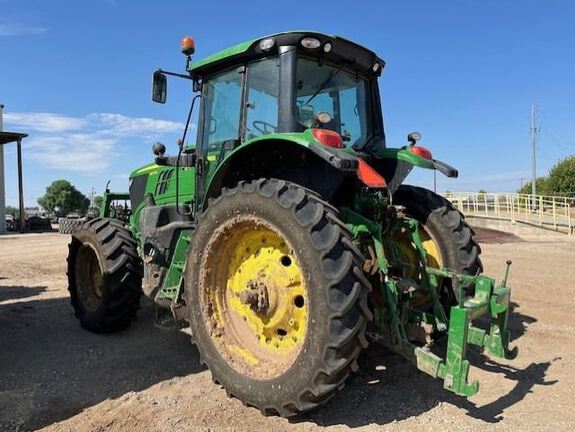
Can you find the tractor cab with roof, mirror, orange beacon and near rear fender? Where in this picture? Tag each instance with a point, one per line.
(300, 99)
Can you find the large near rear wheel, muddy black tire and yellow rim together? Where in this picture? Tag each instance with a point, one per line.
(276, 296)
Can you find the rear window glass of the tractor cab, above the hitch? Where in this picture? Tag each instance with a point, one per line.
(323, 88)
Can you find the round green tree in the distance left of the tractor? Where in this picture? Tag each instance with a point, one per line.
(62, 197)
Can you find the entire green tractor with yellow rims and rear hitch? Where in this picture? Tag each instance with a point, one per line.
(284, 236)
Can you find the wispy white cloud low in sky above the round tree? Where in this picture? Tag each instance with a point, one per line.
(83, 144)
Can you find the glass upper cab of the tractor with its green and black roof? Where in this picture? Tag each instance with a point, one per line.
(288, 83)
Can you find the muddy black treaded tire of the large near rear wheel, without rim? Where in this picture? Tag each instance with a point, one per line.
(337, 295)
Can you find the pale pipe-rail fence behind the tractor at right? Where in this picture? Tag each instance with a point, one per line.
(551, 212)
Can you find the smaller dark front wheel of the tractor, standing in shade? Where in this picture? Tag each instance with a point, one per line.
(104, 275)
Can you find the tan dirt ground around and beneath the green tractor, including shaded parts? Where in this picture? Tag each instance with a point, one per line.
(55, 376)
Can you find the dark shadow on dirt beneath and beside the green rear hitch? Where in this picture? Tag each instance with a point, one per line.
(387, 388)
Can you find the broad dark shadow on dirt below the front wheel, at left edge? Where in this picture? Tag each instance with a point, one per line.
(51, 369)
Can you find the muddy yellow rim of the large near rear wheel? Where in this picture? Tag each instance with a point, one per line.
(255, 298)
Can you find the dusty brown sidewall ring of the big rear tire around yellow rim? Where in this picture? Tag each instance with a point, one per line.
(288, 386)
